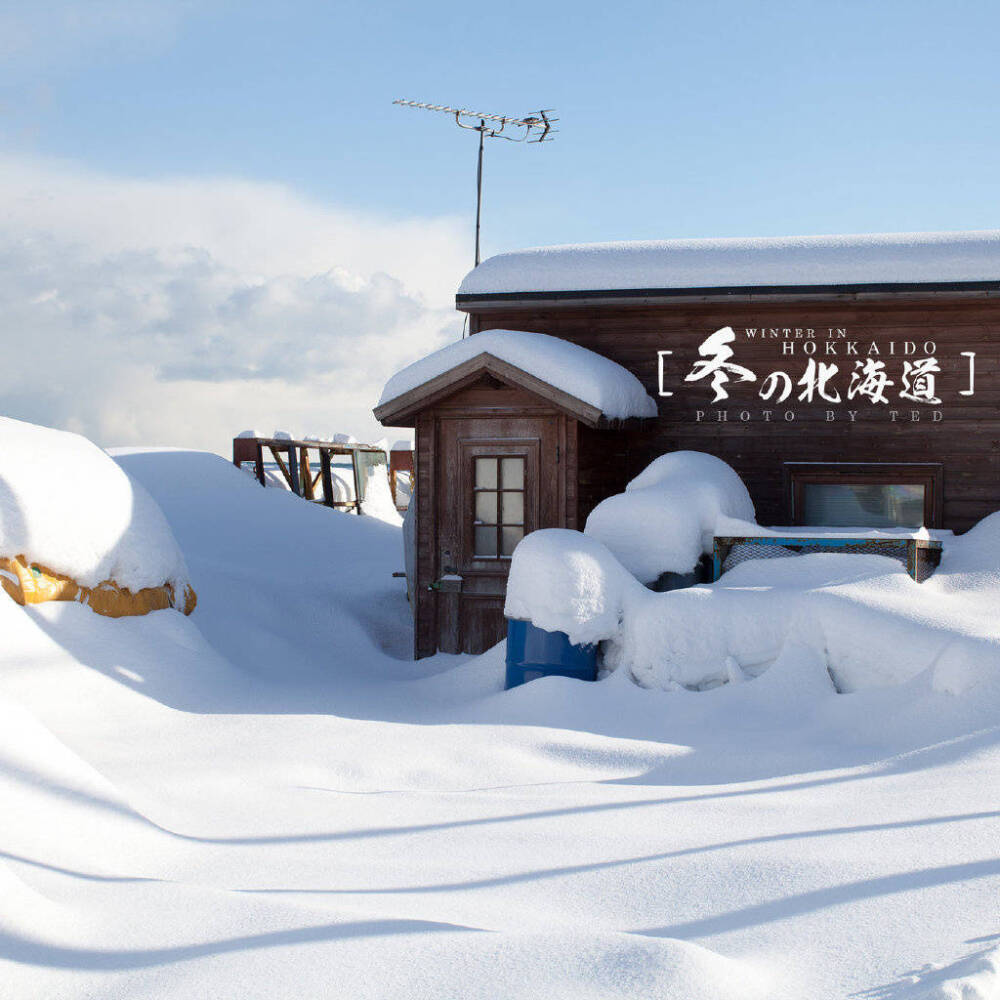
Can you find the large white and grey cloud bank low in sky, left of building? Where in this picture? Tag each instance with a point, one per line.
(182, 311)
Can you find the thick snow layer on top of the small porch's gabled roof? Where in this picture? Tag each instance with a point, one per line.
(591, 377)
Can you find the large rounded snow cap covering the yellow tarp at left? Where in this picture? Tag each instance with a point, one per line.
(65, 505)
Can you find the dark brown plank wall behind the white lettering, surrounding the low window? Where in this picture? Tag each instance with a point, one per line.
(966, 441)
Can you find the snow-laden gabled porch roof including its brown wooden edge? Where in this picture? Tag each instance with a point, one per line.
(589, 384)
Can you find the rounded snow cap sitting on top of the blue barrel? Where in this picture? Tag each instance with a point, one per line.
(563, 581)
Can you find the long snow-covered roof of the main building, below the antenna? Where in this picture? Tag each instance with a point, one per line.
(742, 263)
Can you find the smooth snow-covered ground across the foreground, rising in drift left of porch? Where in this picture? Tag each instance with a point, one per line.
(269, 800)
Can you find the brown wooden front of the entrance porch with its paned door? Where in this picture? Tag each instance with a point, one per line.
(498, 480)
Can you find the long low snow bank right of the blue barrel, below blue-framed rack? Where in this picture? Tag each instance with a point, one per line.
(862, 615)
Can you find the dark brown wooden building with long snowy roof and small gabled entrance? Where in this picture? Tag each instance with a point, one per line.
(841, 377)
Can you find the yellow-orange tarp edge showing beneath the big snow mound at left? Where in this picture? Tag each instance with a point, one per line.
(28, 583)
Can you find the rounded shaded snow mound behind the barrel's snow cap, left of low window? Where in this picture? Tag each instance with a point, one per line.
(666, 517)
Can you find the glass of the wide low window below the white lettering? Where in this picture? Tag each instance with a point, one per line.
(863, 505)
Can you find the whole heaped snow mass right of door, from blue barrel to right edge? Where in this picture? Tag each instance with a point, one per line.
(860, 617)
